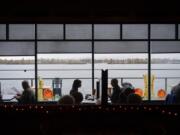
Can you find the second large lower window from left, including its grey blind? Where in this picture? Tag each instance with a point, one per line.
(67, 61)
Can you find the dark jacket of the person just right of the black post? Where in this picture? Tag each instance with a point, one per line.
(115, 95)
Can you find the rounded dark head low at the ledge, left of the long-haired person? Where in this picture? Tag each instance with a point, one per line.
(66, 100)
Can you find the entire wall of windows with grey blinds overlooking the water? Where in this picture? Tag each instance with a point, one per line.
(76, 51)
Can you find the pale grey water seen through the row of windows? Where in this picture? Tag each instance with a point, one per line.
(11, 75)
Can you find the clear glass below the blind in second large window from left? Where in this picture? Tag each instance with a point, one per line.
(67, 67)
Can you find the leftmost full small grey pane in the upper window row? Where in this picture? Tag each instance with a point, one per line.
(21, 31)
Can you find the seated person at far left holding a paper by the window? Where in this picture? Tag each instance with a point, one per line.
(27, 95)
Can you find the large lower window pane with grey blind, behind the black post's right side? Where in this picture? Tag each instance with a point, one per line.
(125, 61)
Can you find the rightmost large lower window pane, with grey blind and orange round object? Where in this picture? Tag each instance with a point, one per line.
(165, 67)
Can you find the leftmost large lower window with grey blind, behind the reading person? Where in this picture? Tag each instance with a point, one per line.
(16, 64)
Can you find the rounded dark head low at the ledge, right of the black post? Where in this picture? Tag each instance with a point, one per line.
(134, 99)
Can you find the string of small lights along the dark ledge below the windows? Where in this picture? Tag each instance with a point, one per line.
(75, 108)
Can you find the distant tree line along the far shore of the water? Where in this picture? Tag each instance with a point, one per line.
(86, 61)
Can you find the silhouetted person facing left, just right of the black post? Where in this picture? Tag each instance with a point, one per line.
(116, 91)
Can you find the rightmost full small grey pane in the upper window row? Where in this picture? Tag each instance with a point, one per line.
(162, 31)
